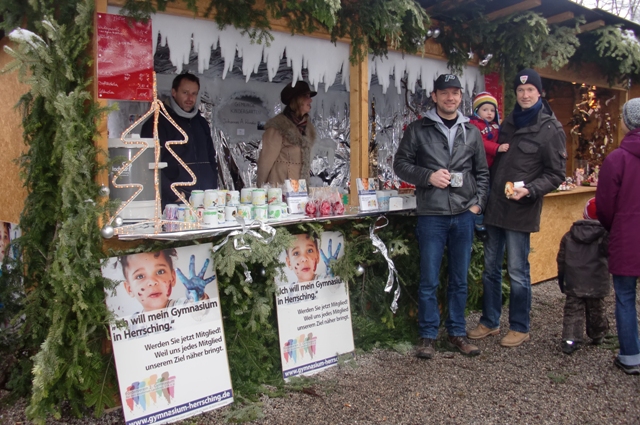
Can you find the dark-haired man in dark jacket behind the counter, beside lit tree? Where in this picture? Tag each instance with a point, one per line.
(198, 153)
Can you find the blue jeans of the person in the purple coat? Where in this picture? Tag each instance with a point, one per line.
(627, 319)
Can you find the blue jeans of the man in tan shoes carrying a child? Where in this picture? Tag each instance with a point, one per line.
(517, 245)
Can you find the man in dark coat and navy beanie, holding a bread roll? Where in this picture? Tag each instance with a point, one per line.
(535, 165)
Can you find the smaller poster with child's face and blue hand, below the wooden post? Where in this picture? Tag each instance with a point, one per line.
(314, 316)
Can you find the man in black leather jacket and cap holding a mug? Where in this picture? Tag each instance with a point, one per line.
(443, 156)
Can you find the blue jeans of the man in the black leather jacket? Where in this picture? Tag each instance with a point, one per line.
(434, 233)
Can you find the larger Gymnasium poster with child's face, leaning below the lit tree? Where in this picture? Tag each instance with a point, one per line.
(168, 338)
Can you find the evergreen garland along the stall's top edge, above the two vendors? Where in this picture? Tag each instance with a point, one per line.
(371, 25)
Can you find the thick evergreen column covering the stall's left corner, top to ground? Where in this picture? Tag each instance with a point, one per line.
(64, 310)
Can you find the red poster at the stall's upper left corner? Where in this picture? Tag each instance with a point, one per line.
(125, 58)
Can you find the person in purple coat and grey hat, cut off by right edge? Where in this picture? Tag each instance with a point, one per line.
(618, 205)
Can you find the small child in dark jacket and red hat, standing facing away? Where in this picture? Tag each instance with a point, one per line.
(583, 275)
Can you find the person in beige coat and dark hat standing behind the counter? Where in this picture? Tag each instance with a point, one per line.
(288, 138)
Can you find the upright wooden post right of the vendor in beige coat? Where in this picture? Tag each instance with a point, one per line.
(359, 115)
